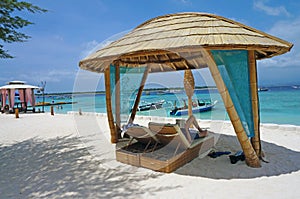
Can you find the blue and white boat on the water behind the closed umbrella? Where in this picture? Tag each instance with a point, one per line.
(199, 106)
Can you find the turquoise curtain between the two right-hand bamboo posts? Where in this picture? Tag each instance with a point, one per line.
(234, 69)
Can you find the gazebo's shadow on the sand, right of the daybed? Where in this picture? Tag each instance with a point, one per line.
(281, 161)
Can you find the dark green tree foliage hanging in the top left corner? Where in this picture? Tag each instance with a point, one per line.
(10, 22)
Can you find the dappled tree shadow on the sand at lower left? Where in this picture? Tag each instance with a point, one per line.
(62, 168)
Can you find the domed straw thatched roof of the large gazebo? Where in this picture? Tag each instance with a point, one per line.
(179, 41)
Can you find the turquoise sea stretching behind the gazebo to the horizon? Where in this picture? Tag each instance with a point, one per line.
(280, 105)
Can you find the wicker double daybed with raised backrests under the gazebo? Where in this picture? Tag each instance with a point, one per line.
(164, 151)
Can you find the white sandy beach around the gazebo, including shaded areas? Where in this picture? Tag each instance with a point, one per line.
(70, 156)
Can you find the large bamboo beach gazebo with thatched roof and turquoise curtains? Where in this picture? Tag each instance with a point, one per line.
(187, 41)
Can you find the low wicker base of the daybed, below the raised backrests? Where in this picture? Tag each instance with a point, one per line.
(161, 157)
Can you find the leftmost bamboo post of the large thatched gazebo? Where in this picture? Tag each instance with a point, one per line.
(110, 116)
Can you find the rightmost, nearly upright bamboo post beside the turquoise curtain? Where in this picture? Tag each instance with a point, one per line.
(255, 102)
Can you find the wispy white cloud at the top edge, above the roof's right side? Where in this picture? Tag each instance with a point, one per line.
(274, 11)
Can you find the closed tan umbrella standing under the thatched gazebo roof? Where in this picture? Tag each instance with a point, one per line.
(189, 86)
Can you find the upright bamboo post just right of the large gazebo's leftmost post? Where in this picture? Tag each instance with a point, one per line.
(118, 100)
